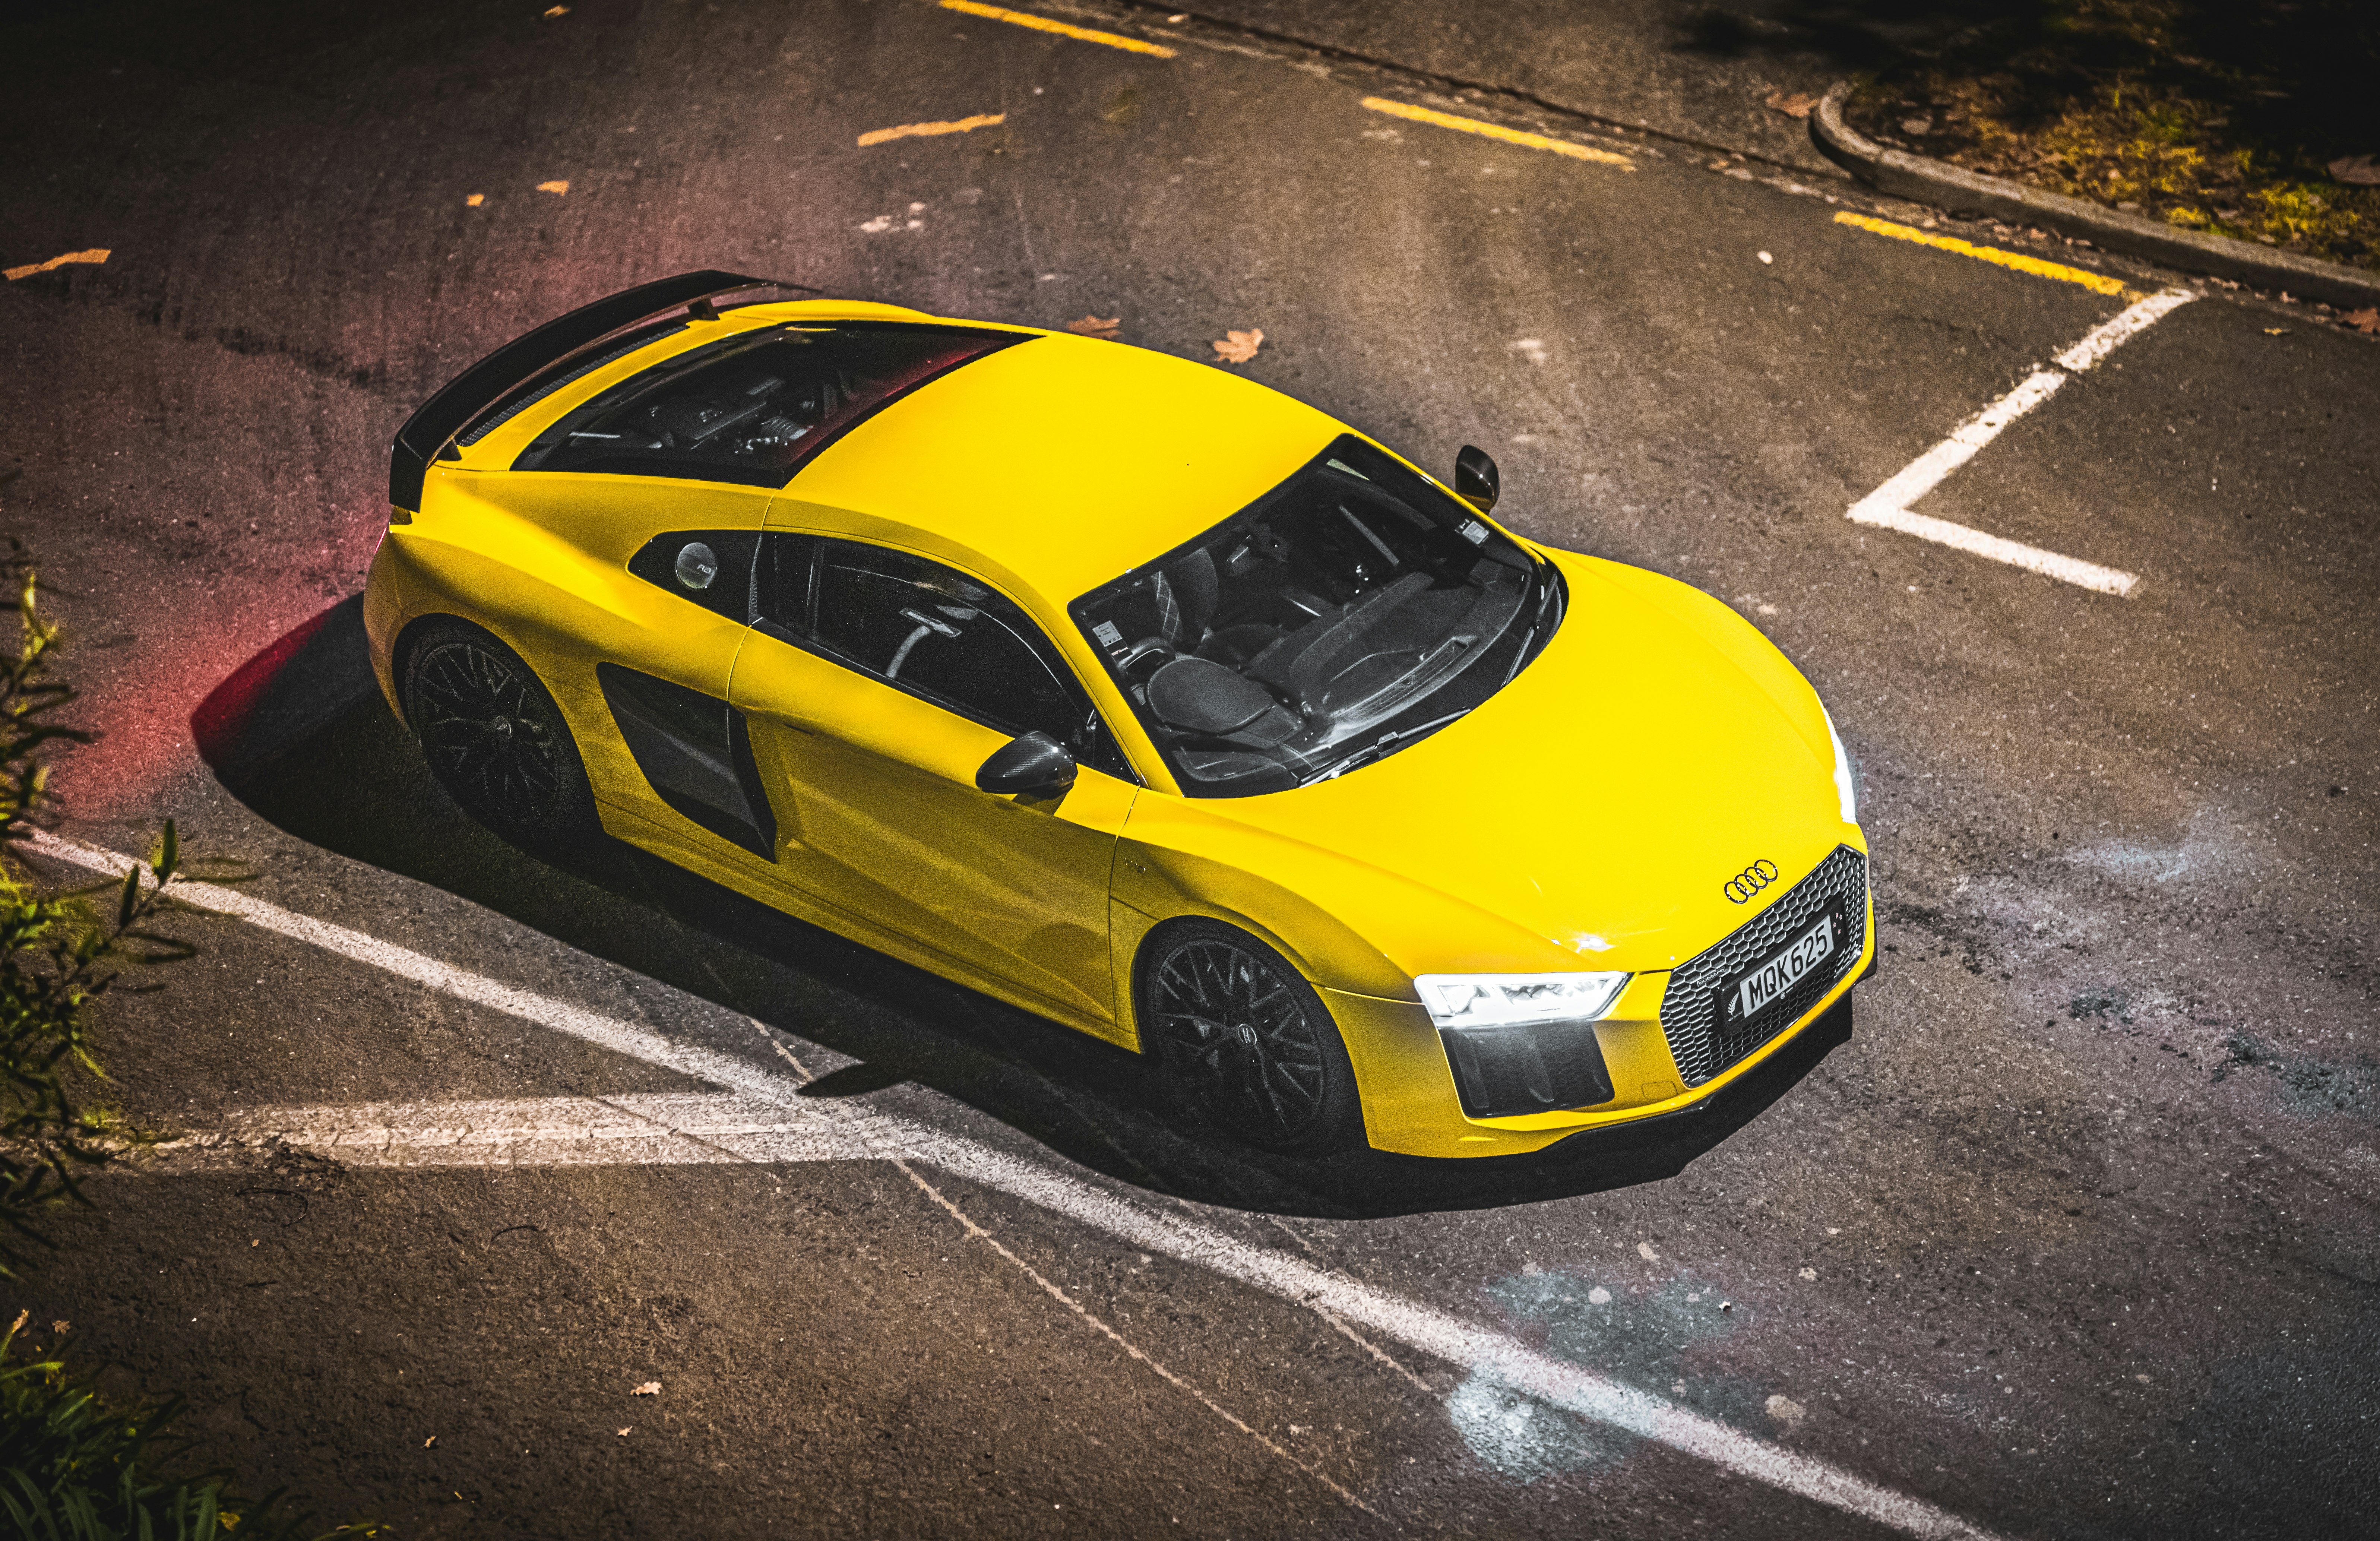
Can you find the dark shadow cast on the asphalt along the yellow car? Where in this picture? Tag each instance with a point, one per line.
(303, 740)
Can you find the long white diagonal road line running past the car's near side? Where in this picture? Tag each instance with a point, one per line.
(1422, 1328)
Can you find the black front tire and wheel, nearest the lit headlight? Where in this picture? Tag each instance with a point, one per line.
(1244, 1040)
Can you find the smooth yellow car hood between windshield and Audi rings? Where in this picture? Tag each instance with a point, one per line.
(1601, 801)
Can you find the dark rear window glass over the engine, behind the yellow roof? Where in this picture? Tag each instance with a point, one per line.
(758, 406)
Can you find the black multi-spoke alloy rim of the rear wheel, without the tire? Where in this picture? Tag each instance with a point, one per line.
(487, 735)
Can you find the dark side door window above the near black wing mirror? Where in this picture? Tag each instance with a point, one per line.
(934, 632)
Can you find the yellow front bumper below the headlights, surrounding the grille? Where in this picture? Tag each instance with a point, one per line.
(1413, 1104)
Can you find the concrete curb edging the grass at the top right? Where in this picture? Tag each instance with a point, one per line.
(1943, 185)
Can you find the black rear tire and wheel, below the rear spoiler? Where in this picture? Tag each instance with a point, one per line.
(496, 740)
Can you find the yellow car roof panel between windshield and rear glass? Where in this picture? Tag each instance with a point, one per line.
(1067, 461)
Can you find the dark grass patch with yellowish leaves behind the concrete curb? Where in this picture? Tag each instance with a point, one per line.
(2236, 120)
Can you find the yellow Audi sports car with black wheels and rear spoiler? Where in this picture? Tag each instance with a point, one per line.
(1127, 692)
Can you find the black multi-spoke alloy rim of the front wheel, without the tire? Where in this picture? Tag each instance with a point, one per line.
(1241, 1042)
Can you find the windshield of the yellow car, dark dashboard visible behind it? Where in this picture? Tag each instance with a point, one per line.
(1344, 616)
